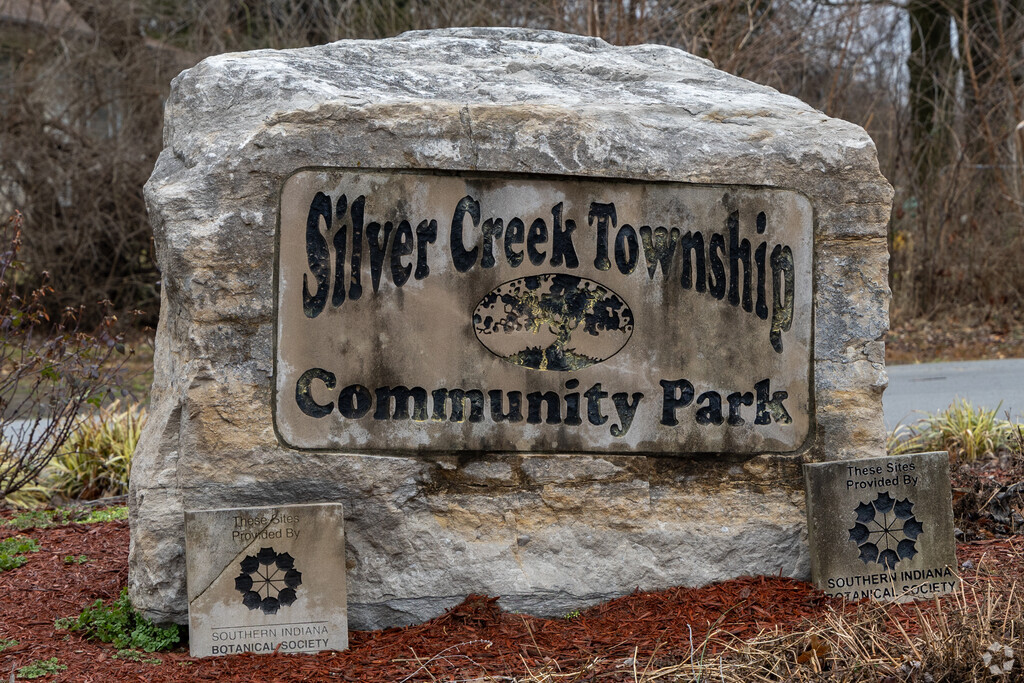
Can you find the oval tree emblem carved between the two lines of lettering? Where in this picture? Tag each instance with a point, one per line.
(553, 322)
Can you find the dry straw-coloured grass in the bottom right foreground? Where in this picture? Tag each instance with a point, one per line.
(975, 634)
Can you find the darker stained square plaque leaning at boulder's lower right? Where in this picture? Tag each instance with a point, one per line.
(882, 528)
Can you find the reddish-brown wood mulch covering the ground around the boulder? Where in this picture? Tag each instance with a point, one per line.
(472, 642)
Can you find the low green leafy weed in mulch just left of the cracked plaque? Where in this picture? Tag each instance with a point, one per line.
(121, 625)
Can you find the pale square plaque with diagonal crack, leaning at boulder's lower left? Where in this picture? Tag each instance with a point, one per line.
(266, 580)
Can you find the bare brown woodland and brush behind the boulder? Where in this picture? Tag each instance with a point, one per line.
(940, 86)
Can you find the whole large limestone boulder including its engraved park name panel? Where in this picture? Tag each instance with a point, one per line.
(523, 302)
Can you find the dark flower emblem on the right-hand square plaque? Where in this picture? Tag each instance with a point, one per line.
(886, 531)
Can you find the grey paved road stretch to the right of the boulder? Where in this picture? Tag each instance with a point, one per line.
(933, 387)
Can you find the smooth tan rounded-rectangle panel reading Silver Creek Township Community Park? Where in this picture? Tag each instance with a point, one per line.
(571, 315)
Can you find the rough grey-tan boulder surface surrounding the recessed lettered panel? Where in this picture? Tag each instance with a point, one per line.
(549, 534)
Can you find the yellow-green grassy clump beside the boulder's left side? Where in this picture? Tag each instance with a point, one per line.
(96, 461)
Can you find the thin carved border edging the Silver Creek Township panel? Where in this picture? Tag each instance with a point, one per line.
(799, 452)
